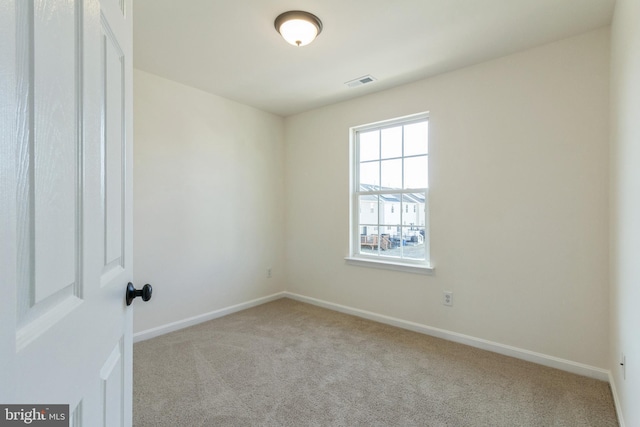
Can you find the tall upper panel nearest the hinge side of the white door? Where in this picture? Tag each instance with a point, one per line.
(50, 165)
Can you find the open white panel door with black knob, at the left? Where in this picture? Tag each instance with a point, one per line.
(66, 200)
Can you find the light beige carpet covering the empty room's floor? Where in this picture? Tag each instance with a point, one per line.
(287, 363)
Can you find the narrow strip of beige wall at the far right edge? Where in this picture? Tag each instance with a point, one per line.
(625, 206)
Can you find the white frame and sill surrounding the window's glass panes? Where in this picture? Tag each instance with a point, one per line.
(378, 261)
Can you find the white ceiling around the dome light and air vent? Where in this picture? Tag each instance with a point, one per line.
(230, 47)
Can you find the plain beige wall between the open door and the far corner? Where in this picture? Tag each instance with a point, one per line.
(208, 190)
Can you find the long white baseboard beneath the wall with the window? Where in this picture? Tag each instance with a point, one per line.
(530, 356)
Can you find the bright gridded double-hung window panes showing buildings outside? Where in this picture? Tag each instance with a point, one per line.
(390, 172)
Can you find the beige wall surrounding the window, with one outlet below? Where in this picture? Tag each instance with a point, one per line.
(519, 202)
